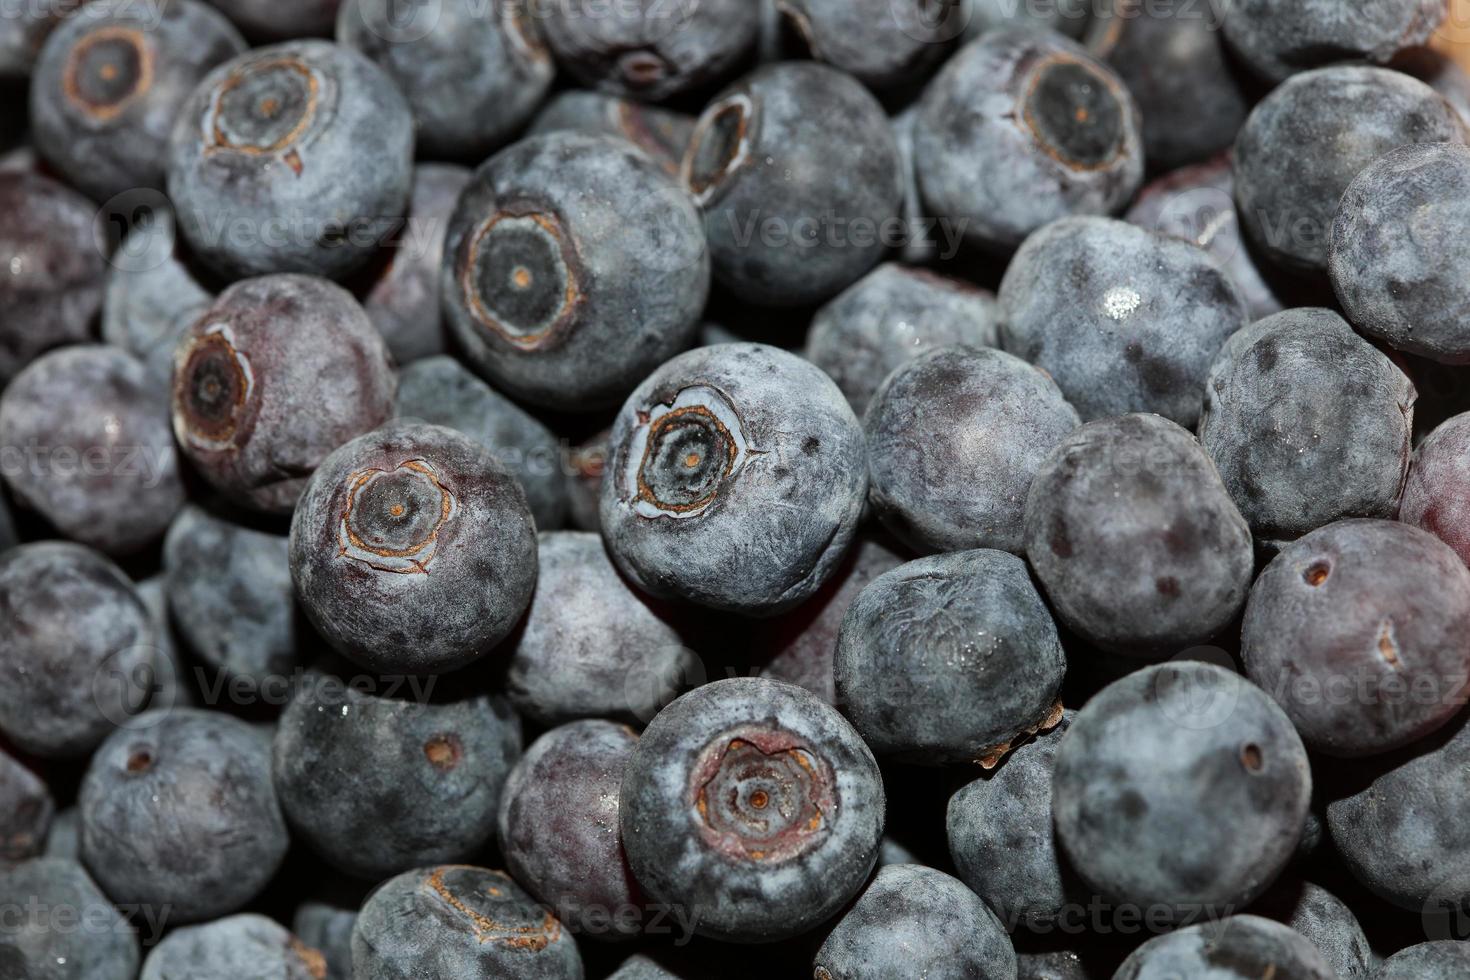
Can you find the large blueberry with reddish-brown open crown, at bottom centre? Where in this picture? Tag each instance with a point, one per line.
(753, 809)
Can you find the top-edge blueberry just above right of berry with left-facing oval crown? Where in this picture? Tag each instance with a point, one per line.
(881, 45)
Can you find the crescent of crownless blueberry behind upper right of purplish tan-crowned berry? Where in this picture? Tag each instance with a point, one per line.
(442, 392)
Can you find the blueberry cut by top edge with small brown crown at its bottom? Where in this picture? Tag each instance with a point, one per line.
(650, 51)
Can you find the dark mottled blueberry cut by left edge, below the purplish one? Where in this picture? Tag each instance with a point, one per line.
(74, 637)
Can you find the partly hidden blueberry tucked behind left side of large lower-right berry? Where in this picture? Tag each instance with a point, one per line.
(1002, 840)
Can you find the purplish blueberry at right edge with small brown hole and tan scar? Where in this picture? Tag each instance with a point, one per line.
(1368, 606)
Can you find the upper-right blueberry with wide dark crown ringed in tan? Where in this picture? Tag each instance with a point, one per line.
(997, 140)
